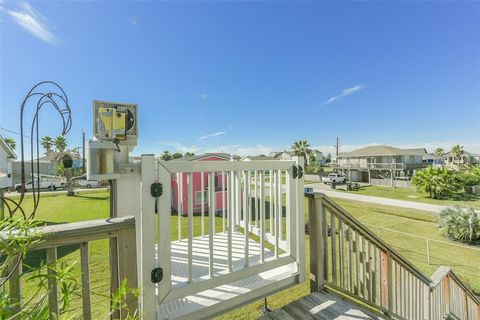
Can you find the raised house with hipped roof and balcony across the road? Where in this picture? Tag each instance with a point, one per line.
(381, 164)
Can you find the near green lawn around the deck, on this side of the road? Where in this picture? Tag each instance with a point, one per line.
(59, 209)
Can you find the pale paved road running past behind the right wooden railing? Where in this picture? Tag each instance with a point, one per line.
(320, 187)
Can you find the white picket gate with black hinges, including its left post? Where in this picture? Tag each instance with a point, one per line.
(255, 249)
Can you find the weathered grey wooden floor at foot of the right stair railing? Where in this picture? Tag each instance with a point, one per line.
(325, 306)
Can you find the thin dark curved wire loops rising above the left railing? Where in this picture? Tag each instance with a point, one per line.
(48, 93)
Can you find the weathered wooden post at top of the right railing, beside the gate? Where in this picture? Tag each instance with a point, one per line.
(317, 248)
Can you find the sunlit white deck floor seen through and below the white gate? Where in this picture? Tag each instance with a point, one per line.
(187, 308)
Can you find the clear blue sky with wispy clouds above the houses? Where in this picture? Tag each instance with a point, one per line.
(251, 77)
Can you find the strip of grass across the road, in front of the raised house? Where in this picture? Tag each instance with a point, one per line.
(462, 199)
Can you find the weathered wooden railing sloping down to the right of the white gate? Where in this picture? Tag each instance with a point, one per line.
(346, 256)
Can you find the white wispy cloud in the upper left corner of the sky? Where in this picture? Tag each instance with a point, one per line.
(32, 21)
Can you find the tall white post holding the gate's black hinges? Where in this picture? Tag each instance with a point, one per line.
(147, 237)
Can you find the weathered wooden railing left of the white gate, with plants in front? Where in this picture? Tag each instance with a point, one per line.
(120, 231)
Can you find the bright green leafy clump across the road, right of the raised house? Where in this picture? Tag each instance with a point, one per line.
(437, 182)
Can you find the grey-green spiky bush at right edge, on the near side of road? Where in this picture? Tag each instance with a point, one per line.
(462, 224)
